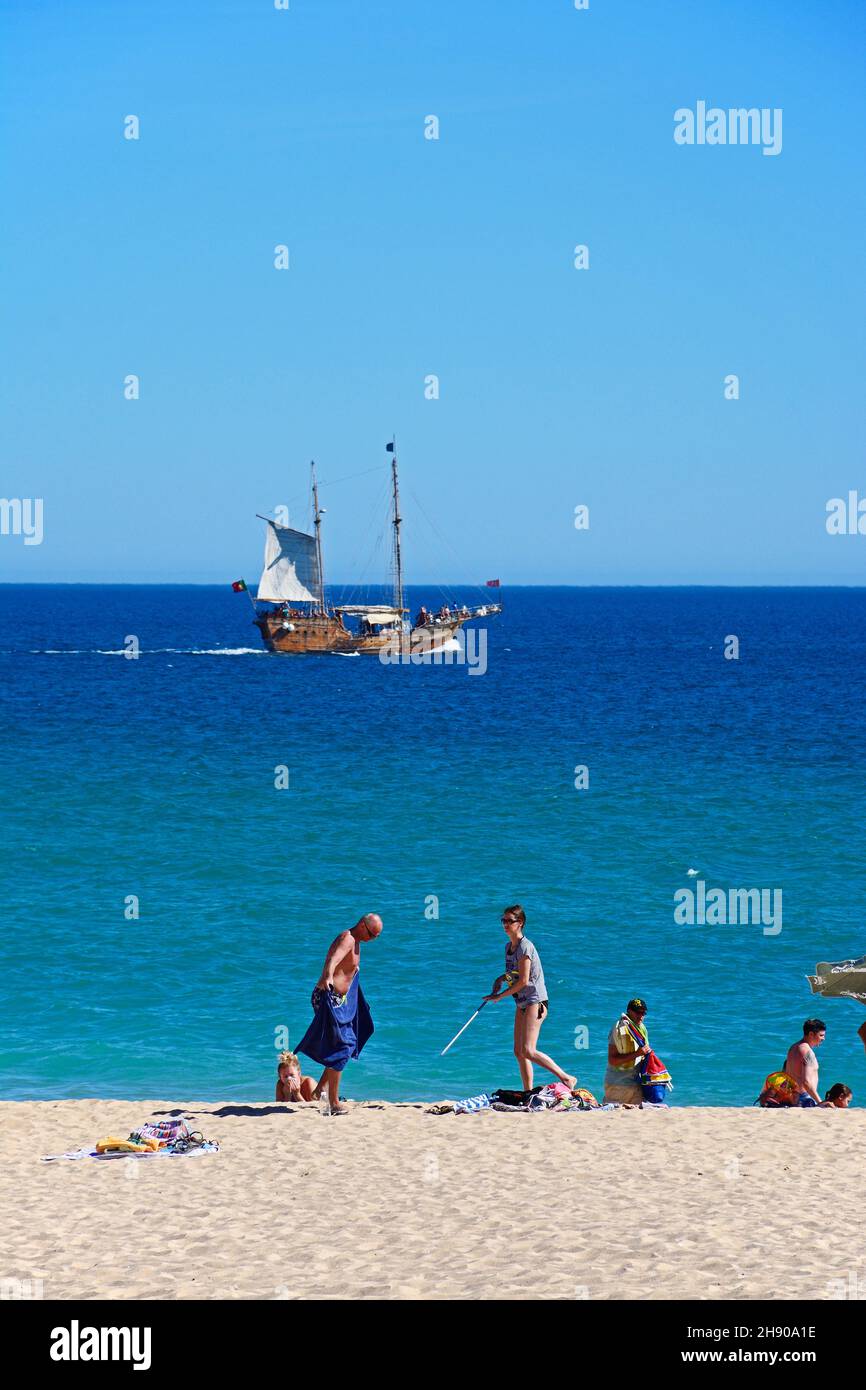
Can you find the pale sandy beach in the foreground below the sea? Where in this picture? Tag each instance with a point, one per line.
(393, 1203)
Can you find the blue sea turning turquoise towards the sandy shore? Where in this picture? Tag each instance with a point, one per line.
(156, 779)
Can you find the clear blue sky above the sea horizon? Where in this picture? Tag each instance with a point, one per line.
(451, 258)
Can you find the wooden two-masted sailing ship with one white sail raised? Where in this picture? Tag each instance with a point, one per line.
(294, 615)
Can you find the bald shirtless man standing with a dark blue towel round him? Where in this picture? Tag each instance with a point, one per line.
(341, 1020)
